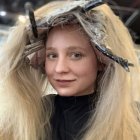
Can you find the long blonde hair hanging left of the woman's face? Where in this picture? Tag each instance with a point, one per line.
(21, 109)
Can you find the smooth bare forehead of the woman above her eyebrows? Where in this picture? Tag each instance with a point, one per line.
(67, 35)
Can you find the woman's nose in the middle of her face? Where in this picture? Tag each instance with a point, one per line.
(62, 65)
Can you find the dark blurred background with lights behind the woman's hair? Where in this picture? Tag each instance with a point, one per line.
(128, 10)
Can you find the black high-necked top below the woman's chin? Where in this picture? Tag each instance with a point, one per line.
(71, 115)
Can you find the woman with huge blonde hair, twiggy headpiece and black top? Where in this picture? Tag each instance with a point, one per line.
(88, 54)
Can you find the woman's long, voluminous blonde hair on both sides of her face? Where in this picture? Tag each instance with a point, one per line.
(22, 112)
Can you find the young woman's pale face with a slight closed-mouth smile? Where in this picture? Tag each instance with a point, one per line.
(71, 65)
